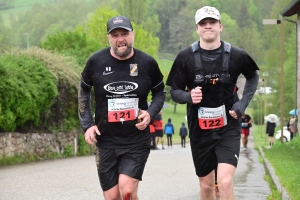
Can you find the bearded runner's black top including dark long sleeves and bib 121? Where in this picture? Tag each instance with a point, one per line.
(118, 85)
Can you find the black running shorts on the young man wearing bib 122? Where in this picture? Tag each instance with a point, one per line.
(207, 154)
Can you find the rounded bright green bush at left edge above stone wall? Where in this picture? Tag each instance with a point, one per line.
(27, 89)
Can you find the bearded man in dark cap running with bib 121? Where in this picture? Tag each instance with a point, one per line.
(122, 78)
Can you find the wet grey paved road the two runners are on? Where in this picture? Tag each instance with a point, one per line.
(169, 175)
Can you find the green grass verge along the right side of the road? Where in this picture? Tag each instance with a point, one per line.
(285, 159)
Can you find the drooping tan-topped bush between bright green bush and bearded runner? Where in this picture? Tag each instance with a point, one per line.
(62, 116)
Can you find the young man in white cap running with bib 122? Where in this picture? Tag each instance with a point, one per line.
(204, 76)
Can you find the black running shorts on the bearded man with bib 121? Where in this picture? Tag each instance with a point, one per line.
(112, 162)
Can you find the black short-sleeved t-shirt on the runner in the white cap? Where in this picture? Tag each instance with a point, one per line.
(183, 77)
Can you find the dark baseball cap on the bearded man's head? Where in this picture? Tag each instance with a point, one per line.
(119, 22)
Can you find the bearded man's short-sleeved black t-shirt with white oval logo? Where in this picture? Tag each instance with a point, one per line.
(121, 79)
